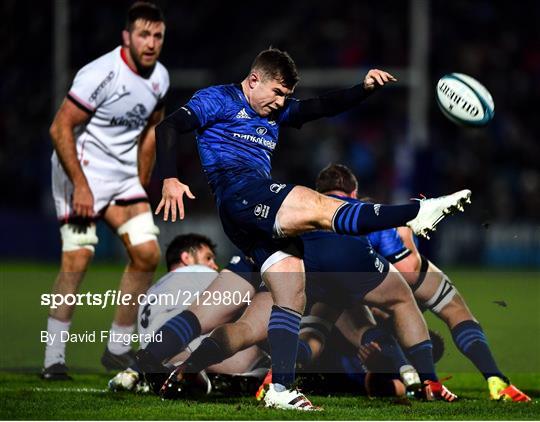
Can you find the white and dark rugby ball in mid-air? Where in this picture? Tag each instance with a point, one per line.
(464, 100)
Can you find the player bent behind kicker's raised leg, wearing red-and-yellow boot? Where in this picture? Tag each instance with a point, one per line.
(432, 288)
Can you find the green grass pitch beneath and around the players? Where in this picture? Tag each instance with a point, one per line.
(513, 331)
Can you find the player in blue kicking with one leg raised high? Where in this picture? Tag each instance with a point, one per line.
(237, 129)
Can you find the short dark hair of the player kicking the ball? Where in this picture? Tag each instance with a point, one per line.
(278, 65)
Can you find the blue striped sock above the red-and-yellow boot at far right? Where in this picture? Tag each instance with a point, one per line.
(471, 341)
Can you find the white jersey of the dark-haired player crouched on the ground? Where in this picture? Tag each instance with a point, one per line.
(171, 294)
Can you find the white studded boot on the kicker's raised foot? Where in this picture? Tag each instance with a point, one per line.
(433, 210)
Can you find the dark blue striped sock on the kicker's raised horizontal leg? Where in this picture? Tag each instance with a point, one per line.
(362, 218)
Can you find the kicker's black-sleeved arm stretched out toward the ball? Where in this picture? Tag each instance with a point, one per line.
(338, 101)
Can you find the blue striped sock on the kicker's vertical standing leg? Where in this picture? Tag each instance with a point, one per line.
(283, 331)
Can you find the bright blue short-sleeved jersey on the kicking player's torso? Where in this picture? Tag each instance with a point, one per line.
(235, 143)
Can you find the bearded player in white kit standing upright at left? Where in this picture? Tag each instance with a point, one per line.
(104, 141)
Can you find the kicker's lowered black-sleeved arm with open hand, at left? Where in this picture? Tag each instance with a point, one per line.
(169, 132)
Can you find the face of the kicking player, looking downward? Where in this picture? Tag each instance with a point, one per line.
(267, 95)
